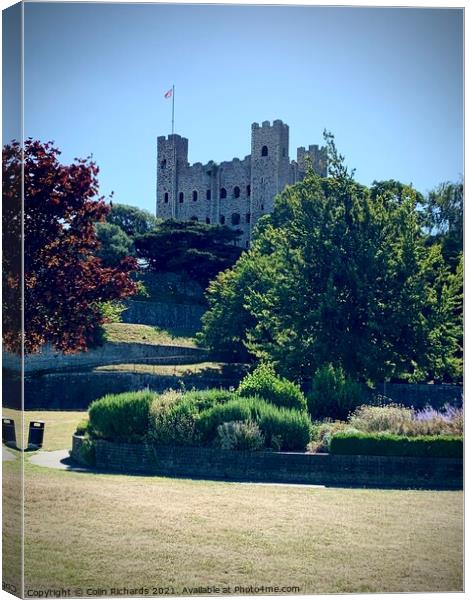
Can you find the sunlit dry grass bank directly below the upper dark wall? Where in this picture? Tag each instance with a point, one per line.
(145, 334)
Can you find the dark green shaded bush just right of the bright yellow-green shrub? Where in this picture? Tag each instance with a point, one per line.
(333, 394)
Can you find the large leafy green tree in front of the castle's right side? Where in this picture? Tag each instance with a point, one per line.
(337, 277)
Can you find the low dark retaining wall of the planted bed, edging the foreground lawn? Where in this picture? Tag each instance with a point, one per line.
(318, 469)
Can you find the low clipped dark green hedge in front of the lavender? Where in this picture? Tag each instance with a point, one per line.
(388, 444)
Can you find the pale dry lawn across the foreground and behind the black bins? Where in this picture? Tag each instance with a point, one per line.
(104, 531)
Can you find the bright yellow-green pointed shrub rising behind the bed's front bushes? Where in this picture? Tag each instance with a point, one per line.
(264, 382)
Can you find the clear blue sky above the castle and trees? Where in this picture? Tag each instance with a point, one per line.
(387, 82)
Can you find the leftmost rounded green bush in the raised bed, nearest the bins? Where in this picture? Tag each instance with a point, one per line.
(121, 417)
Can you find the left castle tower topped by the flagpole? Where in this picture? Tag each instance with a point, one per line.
(172, 157)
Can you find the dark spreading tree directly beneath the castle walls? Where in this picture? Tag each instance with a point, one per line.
(196, 249)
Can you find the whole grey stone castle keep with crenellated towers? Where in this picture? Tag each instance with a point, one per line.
(237, 192)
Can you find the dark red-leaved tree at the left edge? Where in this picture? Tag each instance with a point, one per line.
(64, 282)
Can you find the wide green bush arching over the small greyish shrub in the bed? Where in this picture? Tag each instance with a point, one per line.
(283, 428)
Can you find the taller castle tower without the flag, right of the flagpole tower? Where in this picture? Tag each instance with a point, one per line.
(270, 167)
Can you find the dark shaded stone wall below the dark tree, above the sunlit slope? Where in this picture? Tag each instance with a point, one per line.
(185, 317)
